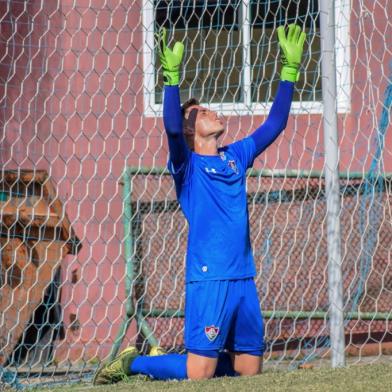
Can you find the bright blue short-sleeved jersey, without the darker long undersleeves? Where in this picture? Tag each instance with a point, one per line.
(212, 193)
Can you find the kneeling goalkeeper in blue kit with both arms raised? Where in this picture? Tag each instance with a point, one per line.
(224, 331)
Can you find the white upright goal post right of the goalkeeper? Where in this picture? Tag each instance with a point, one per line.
(330, 122)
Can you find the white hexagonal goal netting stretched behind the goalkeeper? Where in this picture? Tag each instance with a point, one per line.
(88, 212)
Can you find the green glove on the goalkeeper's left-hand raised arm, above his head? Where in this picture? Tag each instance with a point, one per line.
(170, 59)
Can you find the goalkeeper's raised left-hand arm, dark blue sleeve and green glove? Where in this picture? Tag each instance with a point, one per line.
(172, 117)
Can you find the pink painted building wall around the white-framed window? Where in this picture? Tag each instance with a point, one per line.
(71, 102)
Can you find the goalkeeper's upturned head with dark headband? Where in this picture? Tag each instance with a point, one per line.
(206, 122)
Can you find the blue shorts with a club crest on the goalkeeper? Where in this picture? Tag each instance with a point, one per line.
(223, 314)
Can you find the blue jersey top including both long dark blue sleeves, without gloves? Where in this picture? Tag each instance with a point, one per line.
(211, 191)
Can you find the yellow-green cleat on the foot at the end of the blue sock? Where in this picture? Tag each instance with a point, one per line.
(117, 369)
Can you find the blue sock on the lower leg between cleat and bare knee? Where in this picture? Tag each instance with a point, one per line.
(161, 367)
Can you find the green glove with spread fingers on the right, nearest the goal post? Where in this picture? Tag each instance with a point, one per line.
(292, 47)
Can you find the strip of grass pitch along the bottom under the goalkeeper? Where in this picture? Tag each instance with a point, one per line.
(377, 377)
